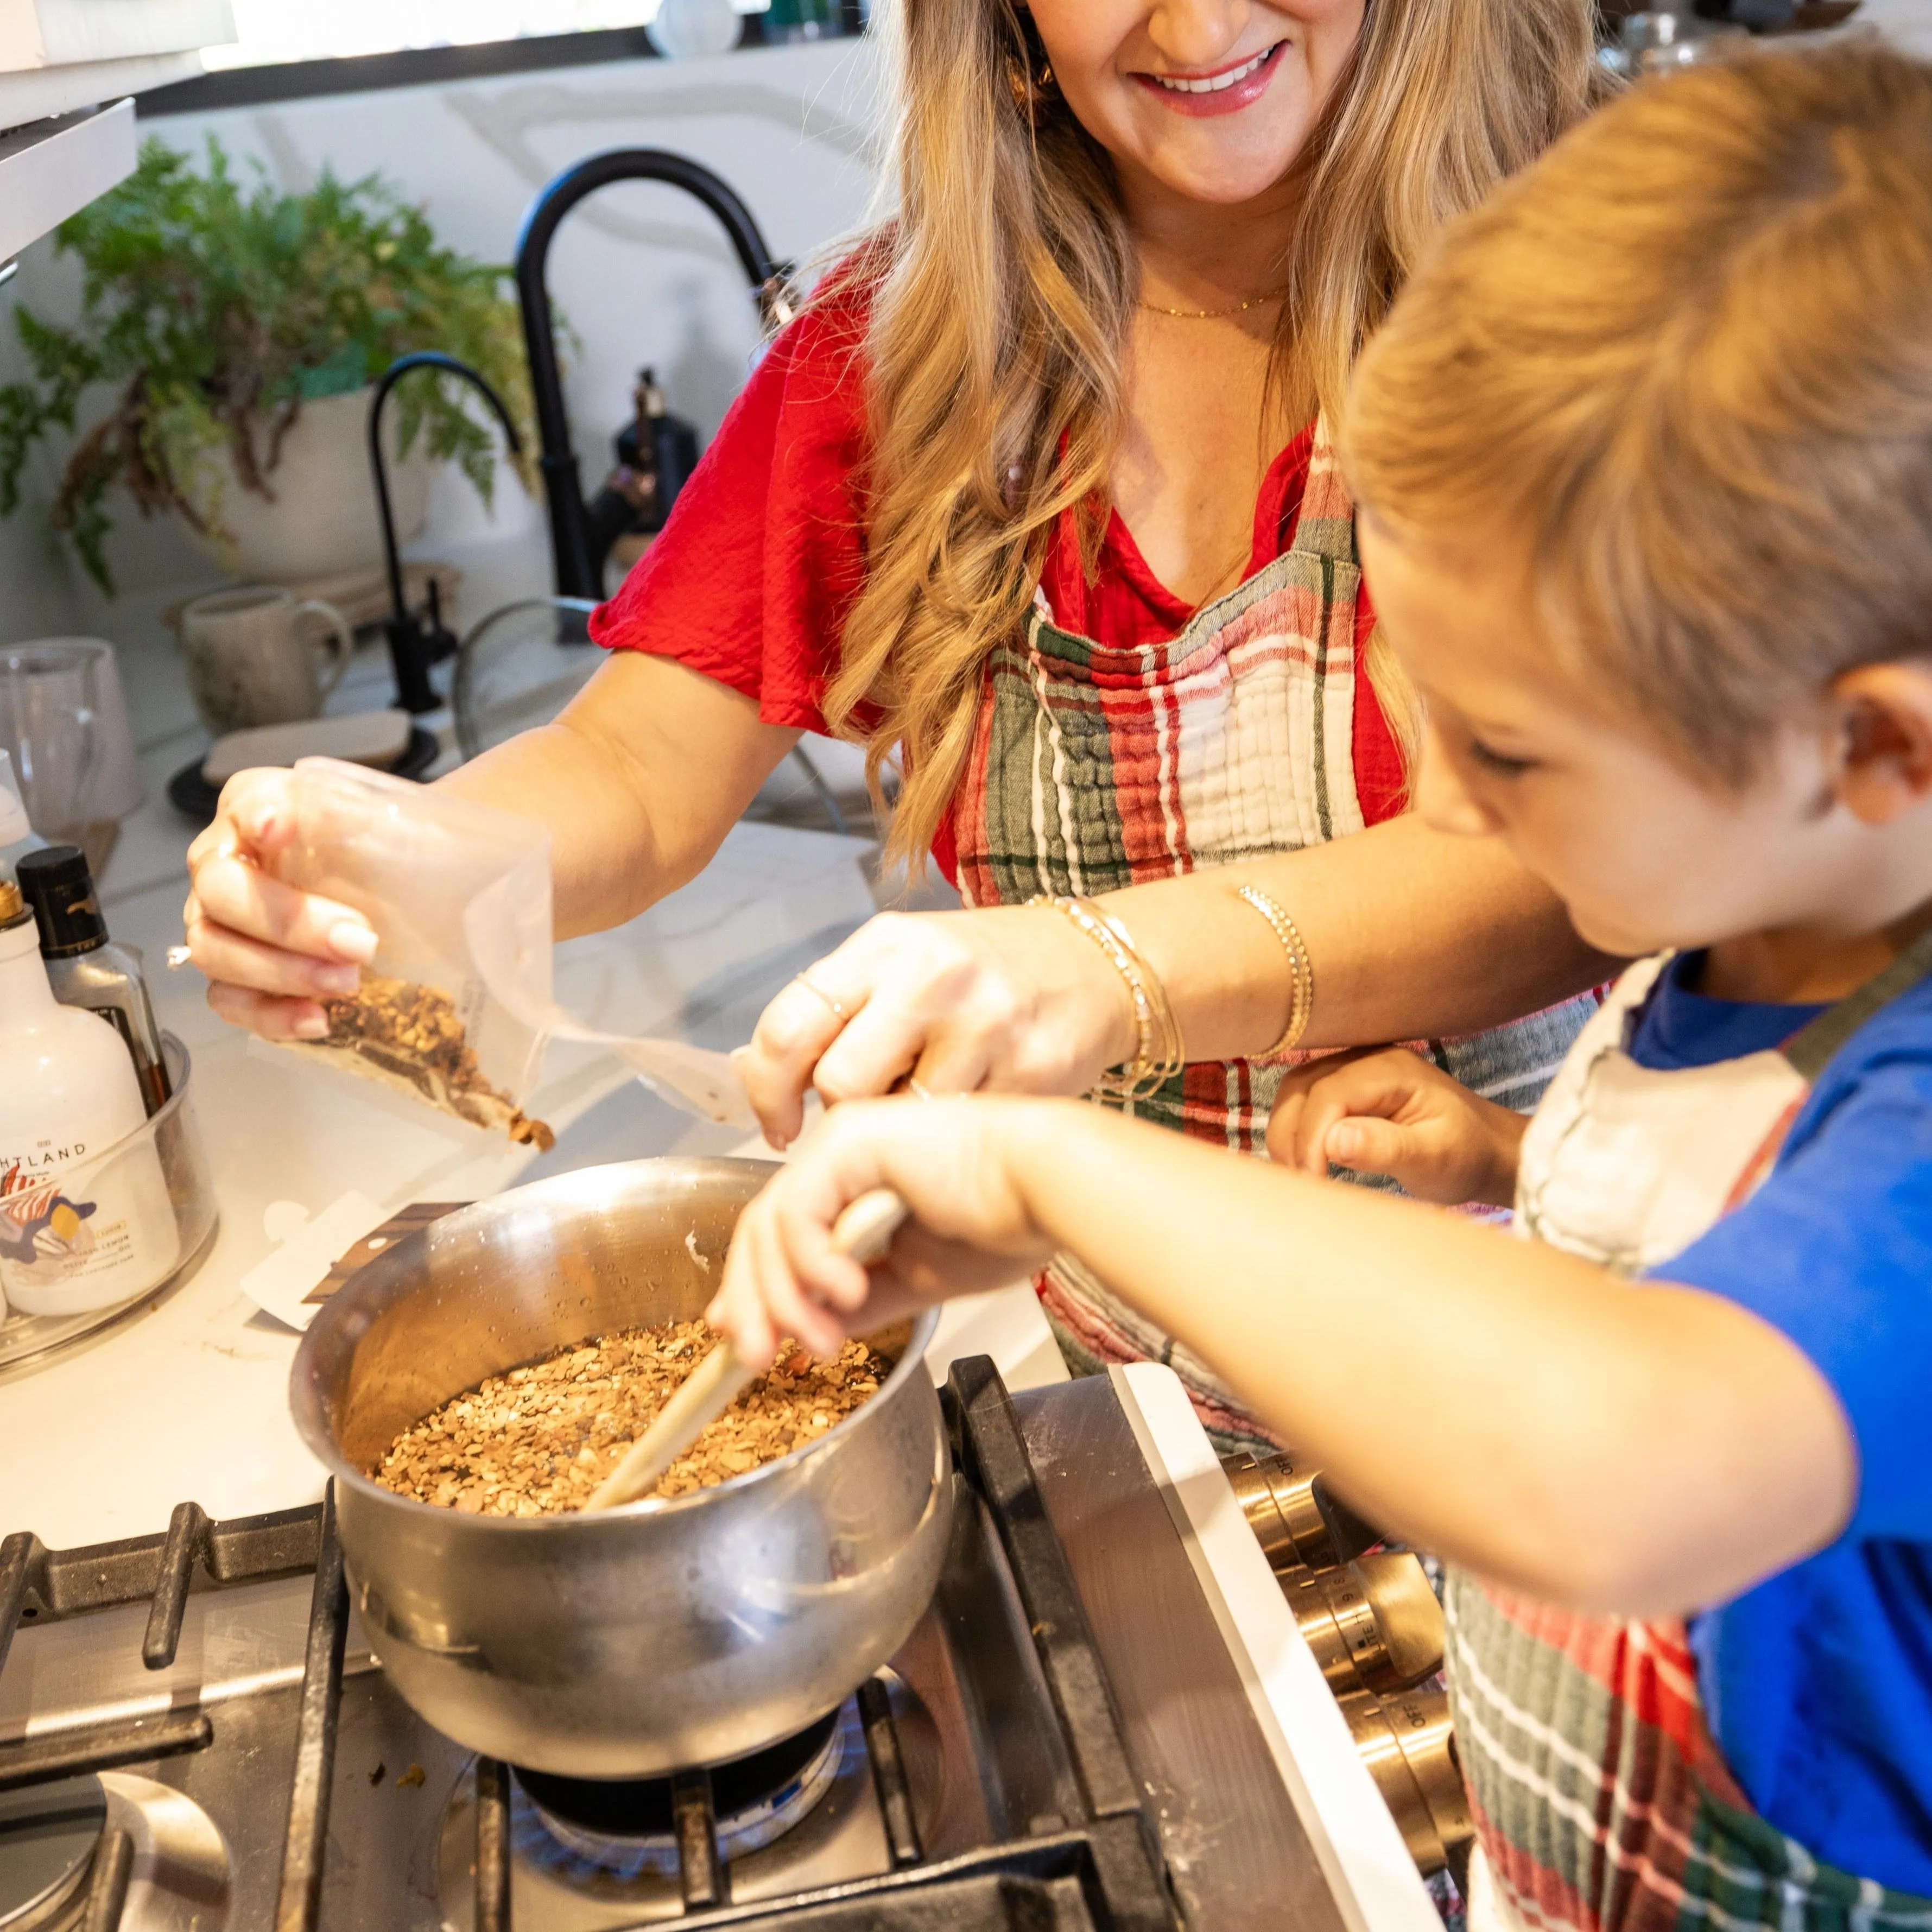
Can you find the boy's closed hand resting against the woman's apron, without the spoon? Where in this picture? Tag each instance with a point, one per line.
(1390, 1112)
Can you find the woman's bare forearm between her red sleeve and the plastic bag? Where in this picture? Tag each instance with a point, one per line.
(639, 781)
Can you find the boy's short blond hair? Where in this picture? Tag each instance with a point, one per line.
(1688, 358)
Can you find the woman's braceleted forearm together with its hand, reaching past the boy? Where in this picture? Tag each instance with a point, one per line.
(1411, 934)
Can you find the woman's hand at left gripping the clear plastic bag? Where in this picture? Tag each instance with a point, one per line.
(271, 953)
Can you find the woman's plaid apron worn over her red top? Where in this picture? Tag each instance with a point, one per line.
(1096, 768)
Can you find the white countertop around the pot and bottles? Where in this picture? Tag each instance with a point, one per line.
(190, 1402)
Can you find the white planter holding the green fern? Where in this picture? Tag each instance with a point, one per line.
(324, 521)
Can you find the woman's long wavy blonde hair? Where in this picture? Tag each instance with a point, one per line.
(1004, 295)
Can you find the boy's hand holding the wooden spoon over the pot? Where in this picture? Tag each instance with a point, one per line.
(953, 1160)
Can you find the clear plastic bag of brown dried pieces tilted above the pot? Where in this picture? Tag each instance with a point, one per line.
(430, 872)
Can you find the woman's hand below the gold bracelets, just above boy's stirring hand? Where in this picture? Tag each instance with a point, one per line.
(1013, 998)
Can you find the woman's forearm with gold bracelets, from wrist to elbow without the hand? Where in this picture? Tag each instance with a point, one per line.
(1413, 934)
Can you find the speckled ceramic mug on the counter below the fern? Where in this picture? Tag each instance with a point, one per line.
(254, 660)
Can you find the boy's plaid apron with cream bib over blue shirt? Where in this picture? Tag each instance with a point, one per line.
(1601, 1798)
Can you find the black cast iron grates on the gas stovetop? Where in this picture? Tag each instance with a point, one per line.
(1091, 1865)
